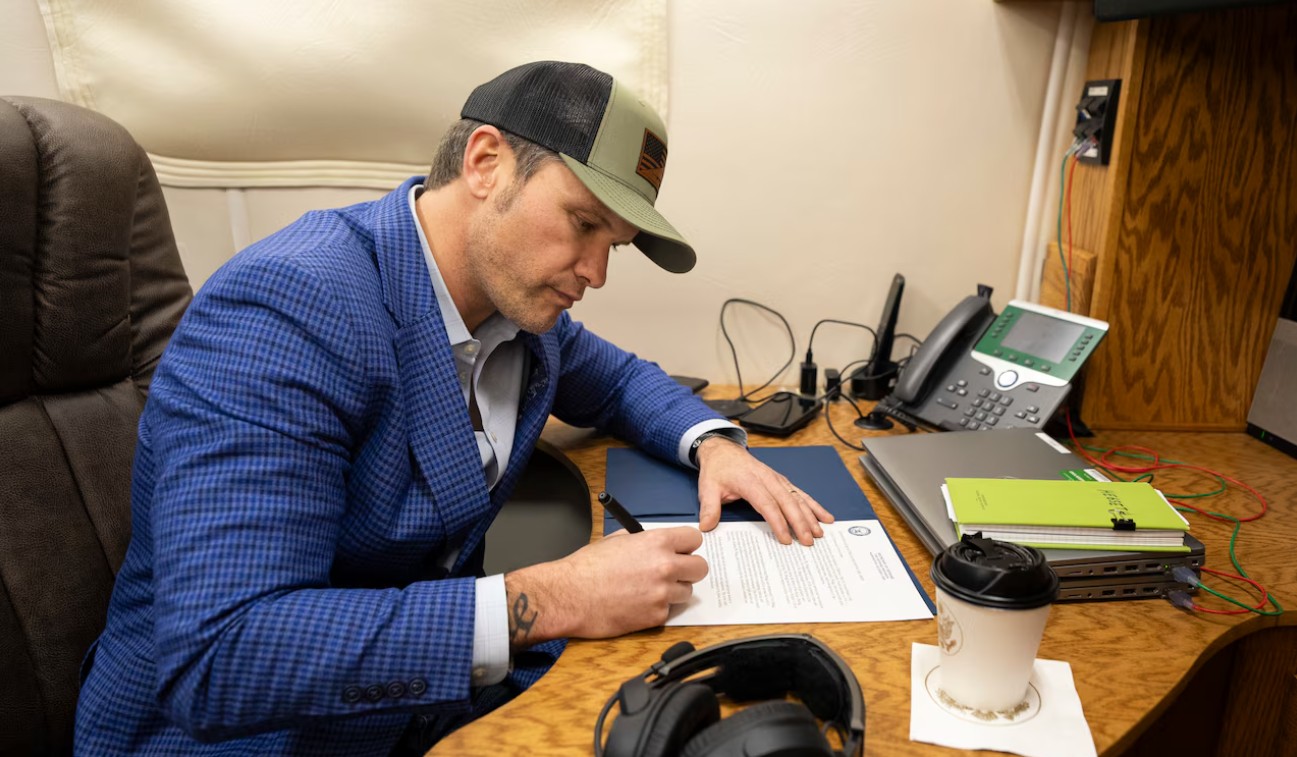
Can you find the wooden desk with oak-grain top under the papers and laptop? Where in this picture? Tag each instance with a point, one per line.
(1130, 659)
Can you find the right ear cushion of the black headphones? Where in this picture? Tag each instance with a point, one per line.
(792, 721)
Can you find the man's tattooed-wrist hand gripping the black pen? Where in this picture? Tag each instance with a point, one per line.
(621, 584)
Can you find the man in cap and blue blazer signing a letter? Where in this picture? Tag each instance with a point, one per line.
(343, 412)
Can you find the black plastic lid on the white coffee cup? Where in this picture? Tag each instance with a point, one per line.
(998, 575)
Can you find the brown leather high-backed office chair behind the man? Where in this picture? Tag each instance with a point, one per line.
(91, 287)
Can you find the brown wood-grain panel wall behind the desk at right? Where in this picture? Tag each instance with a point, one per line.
(1194, 224)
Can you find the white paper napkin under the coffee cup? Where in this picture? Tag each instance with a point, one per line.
(1053, 725)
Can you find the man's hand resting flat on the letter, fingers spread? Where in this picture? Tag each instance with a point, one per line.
(728, 472)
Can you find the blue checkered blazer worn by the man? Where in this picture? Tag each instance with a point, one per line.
(304, 460)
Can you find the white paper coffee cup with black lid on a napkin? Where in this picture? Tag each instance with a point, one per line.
(993, 601)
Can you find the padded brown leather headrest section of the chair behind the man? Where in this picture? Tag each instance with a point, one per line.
(91, 282)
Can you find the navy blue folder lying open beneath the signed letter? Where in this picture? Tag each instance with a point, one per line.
(662, 492)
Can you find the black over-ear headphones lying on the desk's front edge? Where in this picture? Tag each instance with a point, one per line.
(678, 712)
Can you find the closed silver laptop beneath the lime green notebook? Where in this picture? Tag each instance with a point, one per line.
(910, 470)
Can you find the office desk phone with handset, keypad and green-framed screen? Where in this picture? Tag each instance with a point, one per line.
(981, 371)
